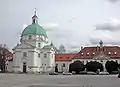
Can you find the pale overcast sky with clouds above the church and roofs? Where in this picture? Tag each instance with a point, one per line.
(69, 22)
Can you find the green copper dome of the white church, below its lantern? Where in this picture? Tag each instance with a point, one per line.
(34, 29)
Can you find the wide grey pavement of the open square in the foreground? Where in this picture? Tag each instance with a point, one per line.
(36, 80)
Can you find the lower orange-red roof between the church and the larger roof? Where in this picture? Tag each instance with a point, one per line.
(64, 57)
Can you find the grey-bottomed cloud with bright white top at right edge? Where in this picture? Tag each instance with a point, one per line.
(111, 25)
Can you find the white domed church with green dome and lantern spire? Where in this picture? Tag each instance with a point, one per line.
(34, 53)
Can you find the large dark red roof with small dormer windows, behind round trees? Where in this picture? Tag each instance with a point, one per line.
(90, 52)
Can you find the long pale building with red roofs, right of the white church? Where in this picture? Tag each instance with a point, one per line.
(93, 53)
